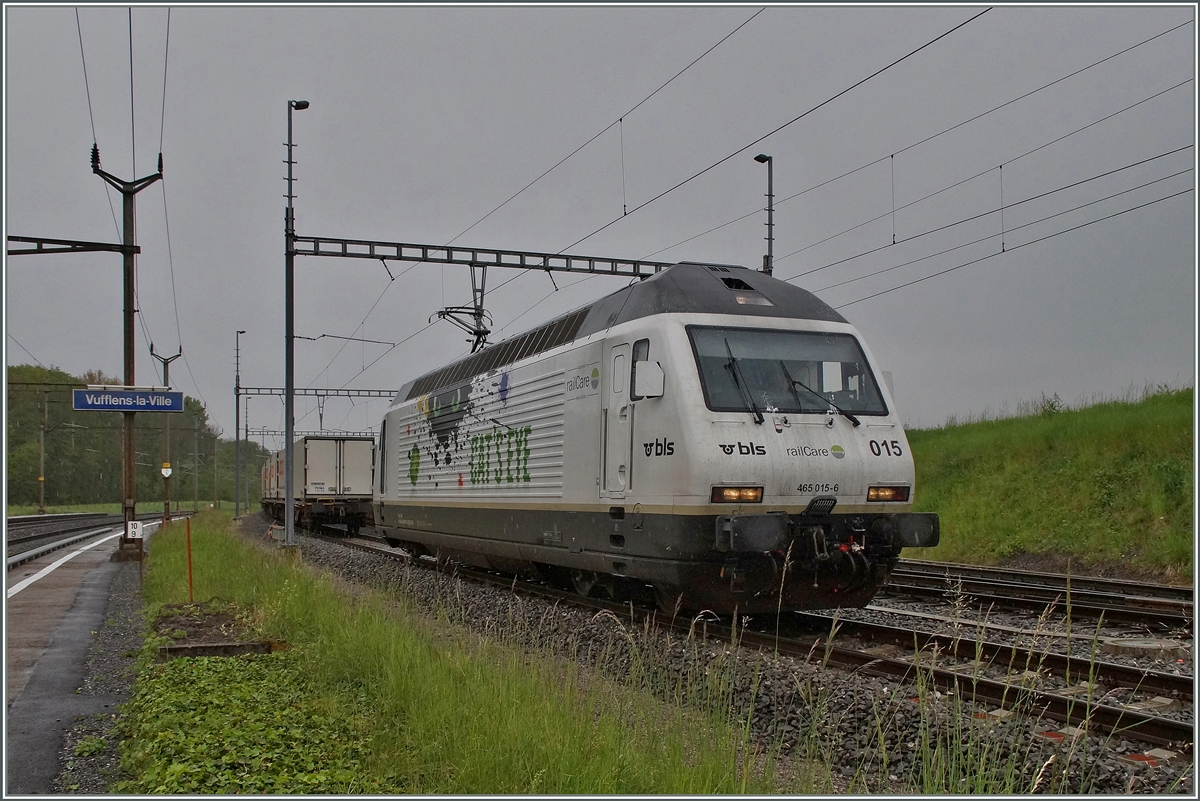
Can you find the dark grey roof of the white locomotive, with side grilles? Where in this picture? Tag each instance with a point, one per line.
(687, 287)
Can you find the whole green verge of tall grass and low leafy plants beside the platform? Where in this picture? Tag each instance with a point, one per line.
(370, 692)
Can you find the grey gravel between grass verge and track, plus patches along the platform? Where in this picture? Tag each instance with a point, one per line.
(808, 710)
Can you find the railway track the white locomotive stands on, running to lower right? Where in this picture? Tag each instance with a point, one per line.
(1082, 706)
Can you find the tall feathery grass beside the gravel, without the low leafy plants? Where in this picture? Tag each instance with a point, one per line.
(455, 714)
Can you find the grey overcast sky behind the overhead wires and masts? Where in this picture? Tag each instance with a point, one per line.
(425, 121)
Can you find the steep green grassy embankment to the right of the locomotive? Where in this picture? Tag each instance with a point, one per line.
(1106, 484)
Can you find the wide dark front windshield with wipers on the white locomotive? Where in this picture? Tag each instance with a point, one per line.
(767, 371)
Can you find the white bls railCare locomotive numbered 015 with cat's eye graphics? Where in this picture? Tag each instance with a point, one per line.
(711, 432)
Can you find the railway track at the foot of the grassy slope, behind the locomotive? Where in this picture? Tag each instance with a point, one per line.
(1155, 606)
